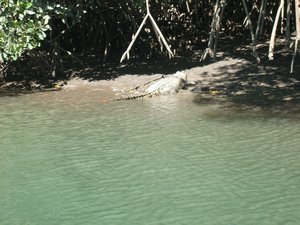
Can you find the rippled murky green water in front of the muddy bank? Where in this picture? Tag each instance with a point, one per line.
(66, 159)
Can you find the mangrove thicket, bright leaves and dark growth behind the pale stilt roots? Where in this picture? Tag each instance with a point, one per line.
(65, 28)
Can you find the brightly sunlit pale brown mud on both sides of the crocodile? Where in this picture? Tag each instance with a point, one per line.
(208, 75)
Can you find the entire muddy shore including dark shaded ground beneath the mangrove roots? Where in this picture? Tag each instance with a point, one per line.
(238, 79)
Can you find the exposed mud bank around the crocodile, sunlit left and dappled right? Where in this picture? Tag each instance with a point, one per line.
(238, 80)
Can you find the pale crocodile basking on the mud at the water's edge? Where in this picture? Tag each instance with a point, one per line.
(165, 85)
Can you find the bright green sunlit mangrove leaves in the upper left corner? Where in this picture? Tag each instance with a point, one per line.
(23, 25)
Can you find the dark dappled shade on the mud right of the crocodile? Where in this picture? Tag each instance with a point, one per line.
(268, 86)
